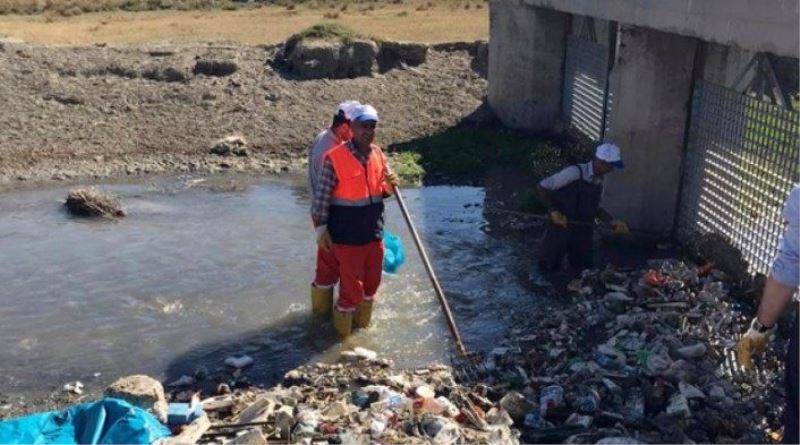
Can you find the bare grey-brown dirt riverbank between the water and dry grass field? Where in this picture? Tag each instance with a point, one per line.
(102, 111)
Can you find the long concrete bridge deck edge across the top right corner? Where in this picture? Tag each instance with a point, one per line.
(762, 26)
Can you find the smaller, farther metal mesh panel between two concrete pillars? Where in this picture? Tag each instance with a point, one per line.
(585, 77)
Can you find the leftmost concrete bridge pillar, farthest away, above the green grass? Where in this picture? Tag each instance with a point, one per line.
(526, 52)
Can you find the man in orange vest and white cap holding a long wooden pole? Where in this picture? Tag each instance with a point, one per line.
(348, 214)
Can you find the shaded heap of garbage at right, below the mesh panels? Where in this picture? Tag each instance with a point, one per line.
(638, 356)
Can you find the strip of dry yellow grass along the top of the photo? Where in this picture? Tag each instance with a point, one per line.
(414, 20)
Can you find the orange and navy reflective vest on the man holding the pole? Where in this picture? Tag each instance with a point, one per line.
(356, 212)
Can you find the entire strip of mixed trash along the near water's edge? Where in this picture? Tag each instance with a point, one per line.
(631, 356)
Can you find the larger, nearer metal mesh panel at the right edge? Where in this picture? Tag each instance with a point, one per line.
(741, 161)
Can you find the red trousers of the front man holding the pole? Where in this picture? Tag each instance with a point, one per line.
(360, 270)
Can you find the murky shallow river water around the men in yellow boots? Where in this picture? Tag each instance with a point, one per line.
(201, 269)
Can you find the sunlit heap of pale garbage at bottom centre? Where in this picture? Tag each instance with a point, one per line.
(361, 399)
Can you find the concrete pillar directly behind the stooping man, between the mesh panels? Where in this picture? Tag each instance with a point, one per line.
(651, 89)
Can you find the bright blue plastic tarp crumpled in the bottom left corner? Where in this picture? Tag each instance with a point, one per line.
(105, 422)
